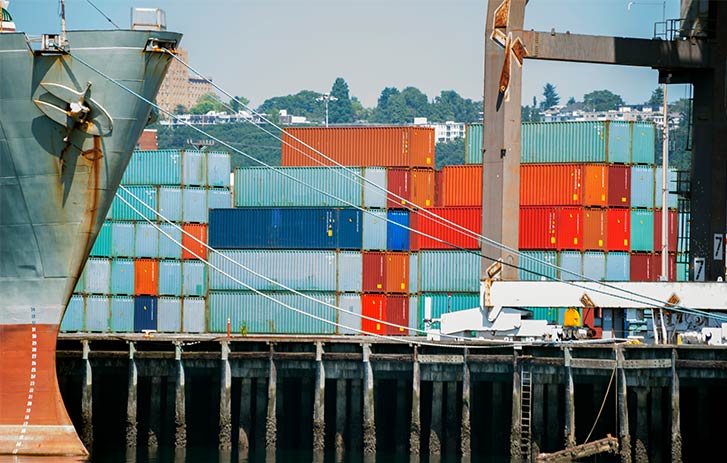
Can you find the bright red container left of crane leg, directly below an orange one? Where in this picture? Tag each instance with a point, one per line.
(469, 218)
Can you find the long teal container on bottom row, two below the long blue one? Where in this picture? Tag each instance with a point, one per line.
(254, 313)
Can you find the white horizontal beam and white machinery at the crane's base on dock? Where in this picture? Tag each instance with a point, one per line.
(500, 315)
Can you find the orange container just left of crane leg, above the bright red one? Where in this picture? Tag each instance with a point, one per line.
(461, 186)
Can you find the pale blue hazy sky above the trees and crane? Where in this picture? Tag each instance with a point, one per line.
(265, 48)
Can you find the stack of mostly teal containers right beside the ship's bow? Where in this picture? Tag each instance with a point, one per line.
(136, 277)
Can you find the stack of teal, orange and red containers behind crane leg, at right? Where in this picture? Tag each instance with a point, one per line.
(591, 203)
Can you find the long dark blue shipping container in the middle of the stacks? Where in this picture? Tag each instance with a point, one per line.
(264, 228)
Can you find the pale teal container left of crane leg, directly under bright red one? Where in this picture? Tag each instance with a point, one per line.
(445, 271)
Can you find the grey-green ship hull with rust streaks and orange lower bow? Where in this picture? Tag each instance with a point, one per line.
(57, 181)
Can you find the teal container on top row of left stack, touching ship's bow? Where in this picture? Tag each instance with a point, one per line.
(157, 167)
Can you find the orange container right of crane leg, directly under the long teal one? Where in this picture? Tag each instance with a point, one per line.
(551, 184)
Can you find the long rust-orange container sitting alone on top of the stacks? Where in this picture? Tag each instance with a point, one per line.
(359, 146)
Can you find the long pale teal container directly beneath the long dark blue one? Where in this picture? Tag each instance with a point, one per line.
(300, 270)
